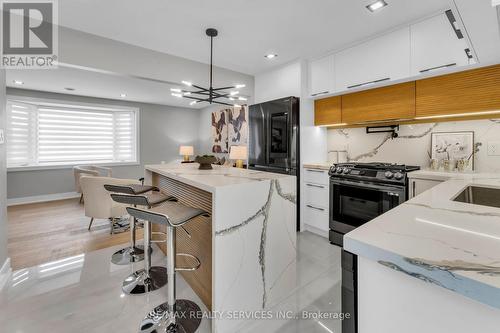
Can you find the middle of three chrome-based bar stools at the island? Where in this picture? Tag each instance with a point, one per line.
(151, 277)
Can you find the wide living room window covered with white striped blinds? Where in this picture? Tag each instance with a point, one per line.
(49, 134)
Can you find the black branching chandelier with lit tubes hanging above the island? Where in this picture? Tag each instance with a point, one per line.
(211, 95)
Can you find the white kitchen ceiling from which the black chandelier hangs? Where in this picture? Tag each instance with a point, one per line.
(248, 29)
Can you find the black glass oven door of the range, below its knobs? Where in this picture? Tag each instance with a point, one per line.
(354, 203)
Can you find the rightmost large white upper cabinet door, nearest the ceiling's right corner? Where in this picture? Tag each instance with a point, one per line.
(437, 44)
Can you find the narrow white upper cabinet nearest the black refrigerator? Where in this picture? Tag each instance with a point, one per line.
(321, 76)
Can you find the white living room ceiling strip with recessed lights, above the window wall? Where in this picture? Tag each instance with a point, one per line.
(94, 84)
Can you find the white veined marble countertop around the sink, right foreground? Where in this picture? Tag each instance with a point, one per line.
(437, 240)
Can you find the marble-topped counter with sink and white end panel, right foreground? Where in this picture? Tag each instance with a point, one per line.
(431, 264)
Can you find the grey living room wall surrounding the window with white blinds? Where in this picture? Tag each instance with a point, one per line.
(162, 130)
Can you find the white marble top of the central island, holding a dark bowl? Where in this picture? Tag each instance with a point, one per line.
(210, 180)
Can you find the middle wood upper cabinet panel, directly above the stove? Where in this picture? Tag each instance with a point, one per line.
(387, 103)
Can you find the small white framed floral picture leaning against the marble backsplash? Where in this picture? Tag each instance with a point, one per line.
(453, 146)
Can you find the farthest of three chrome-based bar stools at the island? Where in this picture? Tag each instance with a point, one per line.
(134, 252)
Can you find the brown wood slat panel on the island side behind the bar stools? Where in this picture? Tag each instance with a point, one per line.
(200, 228)
